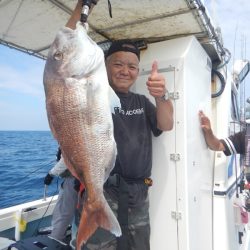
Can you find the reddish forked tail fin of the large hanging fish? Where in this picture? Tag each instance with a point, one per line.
(94, 216)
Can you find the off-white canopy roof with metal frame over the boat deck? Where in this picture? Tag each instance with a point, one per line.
(31, 25)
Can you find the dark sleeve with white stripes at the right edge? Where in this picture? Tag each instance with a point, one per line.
(235, 144)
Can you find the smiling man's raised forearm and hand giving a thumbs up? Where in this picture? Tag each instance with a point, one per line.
(164, 108)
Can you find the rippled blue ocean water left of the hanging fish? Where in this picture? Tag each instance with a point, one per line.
(25, 159)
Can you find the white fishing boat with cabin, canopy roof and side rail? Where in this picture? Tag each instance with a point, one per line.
(196, 201)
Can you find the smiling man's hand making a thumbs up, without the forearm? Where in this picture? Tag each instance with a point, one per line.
(156, 82)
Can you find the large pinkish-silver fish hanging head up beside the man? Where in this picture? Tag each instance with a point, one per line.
(79, 101)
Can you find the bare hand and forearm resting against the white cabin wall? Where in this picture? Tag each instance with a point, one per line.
(212, 141)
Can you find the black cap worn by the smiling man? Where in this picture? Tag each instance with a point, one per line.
(123, 45)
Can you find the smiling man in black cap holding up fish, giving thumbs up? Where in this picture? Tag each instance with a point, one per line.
(127, 188)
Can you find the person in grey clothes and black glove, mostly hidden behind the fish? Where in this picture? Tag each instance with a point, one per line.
(65, 207)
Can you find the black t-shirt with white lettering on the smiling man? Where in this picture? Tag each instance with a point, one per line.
(133, 124)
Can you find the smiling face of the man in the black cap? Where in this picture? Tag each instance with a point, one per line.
(123, 69)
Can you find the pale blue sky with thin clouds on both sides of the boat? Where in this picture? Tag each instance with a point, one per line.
(22, 100)
